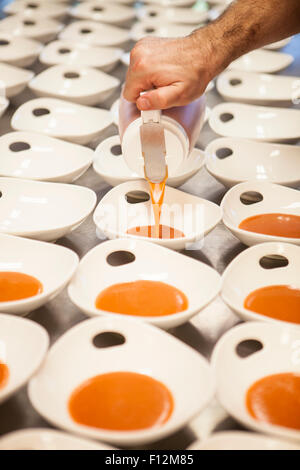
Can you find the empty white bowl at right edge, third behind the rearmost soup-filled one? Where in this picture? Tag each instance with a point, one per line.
(254, 88)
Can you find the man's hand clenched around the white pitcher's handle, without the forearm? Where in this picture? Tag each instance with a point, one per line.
(176, 71)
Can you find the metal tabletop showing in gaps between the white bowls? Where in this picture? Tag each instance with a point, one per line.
(219, 248)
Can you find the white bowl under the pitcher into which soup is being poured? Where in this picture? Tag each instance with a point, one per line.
(194, 216)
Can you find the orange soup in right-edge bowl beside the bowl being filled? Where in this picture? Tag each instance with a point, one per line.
(279, 225)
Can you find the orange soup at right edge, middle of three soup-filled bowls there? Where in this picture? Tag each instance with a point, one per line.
(280, 302)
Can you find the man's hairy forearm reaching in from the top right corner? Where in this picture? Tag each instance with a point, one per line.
(247, 25)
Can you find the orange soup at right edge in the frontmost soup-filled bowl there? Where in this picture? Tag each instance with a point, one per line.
(275, 399)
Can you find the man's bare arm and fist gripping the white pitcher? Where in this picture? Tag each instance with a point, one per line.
(178, 70)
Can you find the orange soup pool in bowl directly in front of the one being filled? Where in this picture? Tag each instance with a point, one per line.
(142, 298)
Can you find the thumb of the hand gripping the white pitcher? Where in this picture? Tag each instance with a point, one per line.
(160, 98)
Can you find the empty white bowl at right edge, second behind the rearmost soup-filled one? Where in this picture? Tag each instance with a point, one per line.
(265, 124)
